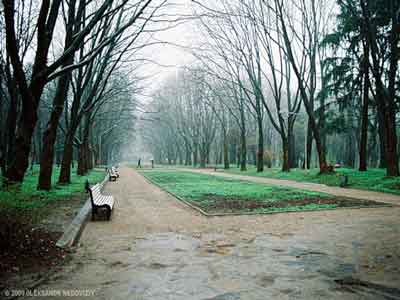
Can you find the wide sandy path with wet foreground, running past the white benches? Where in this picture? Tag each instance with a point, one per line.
(156, 248)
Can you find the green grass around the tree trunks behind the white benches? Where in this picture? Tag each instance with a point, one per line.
(27, 197)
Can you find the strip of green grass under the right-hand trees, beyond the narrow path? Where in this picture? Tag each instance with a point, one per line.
(373, 179)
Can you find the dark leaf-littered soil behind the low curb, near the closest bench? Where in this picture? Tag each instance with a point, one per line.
(28, 250)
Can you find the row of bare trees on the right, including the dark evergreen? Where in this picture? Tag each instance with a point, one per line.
(289, 67)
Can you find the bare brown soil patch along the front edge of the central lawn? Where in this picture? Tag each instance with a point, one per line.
(212, 203)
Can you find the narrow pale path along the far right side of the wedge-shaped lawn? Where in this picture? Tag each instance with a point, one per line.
(316, 187)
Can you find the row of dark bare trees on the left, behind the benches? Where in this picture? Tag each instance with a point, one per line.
(65, 89)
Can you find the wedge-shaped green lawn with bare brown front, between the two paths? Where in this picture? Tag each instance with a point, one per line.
(221, 195)
